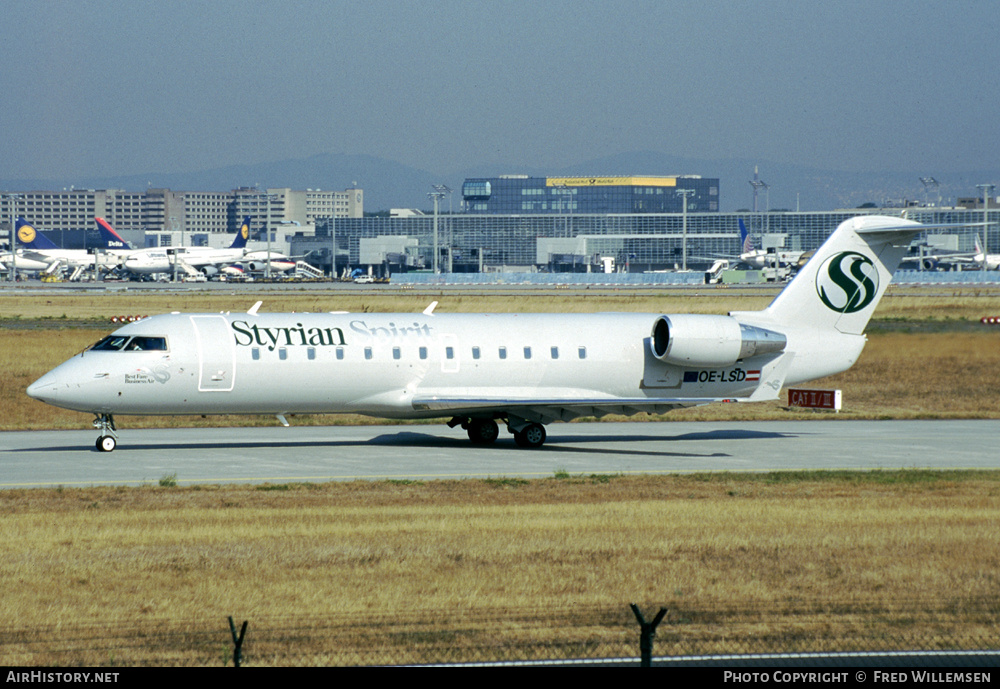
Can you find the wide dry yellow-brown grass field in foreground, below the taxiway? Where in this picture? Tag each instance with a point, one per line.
(848, 542)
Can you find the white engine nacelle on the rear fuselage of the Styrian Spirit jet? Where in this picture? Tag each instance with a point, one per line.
(697, 340)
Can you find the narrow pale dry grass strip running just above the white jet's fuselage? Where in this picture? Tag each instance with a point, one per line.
(947, 304)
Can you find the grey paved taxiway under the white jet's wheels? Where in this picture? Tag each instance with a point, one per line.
(329, 453)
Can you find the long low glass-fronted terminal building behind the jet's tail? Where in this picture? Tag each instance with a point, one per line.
(571, 242)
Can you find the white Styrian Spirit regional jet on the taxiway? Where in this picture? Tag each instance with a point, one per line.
(523, 369)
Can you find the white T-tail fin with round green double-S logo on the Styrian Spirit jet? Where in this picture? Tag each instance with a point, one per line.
(841, 285)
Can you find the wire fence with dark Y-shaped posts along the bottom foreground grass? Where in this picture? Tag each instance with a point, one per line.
(515, 634)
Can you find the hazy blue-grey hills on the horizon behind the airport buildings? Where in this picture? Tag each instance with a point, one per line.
(388, 184)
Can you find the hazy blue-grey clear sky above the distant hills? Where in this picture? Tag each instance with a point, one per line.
(109, 87)
